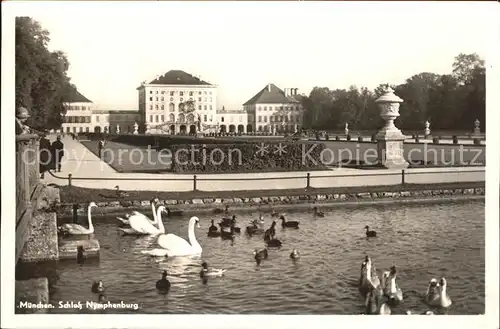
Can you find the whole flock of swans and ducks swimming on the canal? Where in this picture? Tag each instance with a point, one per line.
(379, 295)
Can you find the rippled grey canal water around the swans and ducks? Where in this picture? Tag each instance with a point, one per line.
(423, 241)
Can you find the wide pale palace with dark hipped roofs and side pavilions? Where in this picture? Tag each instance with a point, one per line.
(180, 103)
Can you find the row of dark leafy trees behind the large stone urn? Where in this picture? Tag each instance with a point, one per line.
(450, 101)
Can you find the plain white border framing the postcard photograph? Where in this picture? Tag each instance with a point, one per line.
(10, 320)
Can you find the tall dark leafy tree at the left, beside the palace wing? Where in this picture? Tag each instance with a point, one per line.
(41, 75)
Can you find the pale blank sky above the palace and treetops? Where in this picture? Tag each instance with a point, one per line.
(113, 47)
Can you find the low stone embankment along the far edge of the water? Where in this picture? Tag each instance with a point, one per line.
(295, 201)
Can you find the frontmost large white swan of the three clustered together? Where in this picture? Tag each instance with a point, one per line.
(177, 246)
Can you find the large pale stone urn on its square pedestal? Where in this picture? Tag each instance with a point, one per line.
(390, 139)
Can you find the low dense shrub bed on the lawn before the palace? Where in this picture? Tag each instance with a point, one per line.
(227, 158)
